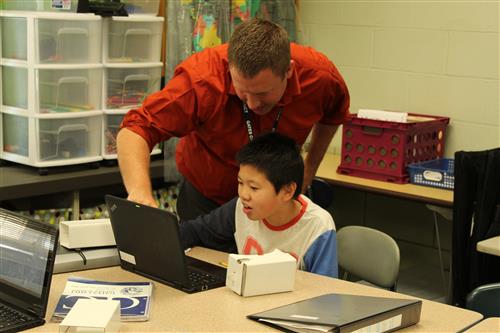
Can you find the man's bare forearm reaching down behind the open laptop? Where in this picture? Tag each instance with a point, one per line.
(133, 159)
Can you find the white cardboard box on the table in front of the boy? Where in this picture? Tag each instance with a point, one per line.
(251, 275)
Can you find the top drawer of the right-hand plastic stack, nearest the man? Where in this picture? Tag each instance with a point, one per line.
(133, 39)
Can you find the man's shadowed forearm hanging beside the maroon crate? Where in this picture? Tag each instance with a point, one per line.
(320, 140)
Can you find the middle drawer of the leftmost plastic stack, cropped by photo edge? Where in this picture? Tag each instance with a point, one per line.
(15, 87)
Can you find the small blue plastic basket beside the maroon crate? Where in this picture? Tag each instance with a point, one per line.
(436, 173)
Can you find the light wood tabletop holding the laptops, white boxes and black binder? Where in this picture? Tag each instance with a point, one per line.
(221, 309)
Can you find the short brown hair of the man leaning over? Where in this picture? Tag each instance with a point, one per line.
(259, 44)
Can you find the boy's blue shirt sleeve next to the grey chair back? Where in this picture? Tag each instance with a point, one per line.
(321, 256)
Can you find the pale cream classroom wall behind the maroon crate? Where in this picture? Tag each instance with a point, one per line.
(430, 57)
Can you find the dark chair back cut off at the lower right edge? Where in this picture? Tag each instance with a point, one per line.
(485, 299)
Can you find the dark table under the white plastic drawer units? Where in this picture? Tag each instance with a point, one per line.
(19, 181)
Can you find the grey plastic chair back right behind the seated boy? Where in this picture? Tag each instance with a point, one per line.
(368, 254)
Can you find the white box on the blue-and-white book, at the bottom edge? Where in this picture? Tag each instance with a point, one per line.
(92, 316)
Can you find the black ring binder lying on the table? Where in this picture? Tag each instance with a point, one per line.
(343, 313)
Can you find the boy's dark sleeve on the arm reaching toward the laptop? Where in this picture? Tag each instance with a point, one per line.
(214, 230)
